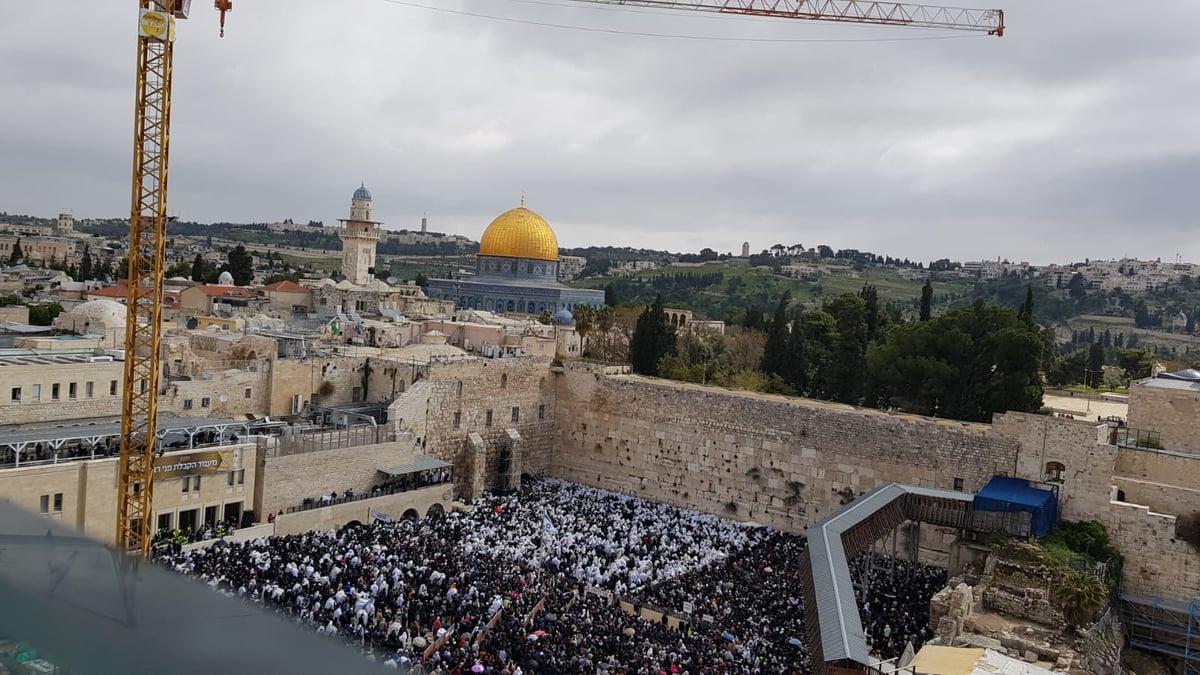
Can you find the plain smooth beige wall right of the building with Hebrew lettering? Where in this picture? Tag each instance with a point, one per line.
(290, 480)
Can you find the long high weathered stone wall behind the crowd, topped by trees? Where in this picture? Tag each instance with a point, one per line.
(781, 462)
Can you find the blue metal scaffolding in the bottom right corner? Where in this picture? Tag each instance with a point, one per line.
(1169, 629)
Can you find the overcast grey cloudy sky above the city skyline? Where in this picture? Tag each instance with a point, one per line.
(1075, 136)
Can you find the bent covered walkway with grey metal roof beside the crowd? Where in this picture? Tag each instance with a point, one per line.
(832, 622)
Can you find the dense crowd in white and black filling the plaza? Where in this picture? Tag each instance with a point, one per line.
(531, 583)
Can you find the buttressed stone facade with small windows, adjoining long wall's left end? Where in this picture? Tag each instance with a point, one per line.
(454, 401)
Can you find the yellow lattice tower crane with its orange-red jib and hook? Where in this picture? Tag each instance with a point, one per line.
(148, 219)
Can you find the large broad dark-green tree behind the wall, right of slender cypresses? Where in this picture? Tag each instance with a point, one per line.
(965, 365)
